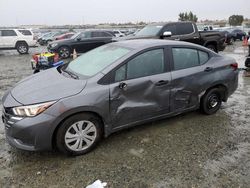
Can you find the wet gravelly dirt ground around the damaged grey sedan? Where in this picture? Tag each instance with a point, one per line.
(190, 150)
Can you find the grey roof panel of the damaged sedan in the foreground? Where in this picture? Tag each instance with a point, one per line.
(148, 43)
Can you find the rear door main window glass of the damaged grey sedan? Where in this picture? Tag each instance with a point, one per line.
(185, 58)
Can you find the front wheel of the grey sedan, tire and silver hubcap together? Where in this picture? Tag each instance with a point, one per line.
(79, 134)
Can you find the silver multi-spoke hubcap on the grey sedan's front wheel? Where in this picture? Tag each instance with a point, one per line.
(80, 136)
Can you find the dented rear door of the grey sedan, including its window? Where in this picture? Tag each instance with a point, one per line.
(190, 75)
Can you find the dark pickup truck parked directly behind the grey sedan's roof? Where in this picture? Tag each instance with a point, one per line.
(181, 31)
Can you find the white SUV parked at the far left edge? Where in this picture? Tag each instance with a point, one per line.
(19, 39)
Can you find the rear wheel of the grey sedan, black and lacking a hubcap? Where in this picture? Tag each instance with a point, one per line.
(211, 101)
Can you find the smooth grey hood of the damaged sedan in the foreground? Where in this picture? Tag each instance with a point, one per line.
(48, 85)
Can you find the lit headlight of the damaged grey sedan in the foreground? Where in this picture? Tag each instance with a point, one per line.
(31, 110)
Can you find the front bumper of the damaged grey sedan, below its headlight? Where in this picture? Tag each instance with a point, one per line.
(32, 134)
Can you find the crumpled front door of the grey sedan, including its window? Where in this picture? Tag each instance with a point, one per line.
(141, 88)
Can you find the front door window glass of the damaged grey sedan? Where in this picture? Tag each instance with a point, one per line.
(146, 64)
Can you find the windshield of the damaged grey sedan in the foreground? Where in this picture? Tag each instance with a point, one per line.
(96, 60)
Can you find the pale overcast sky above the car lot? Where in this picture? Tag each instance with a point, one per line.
(61, 12)
